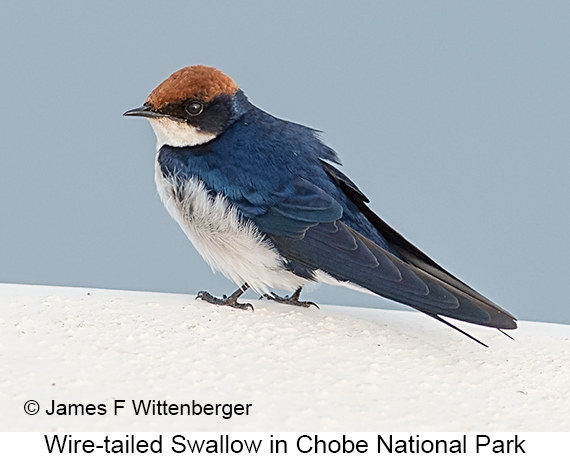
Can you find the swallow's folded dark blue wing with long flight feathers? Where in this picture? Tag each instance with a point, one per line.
(307, 227)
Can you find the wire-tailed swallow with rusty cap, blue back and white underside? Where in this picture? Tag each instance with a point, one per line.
(263, 201)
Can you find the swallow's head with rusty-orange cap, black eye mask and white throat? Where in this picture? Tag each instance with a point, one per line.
(192, 106)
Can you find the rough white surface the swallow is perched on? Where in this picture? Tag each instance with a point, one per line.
(333, 369)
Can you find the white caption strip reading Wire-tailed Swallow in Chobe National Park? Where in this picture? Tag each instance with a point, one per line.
(286, 443)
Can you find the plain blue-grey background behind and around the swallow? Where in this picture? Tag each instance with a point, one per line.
(453, 117)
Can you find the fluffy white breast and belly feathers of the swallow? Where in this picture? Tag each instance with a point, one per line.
(221, 236)
